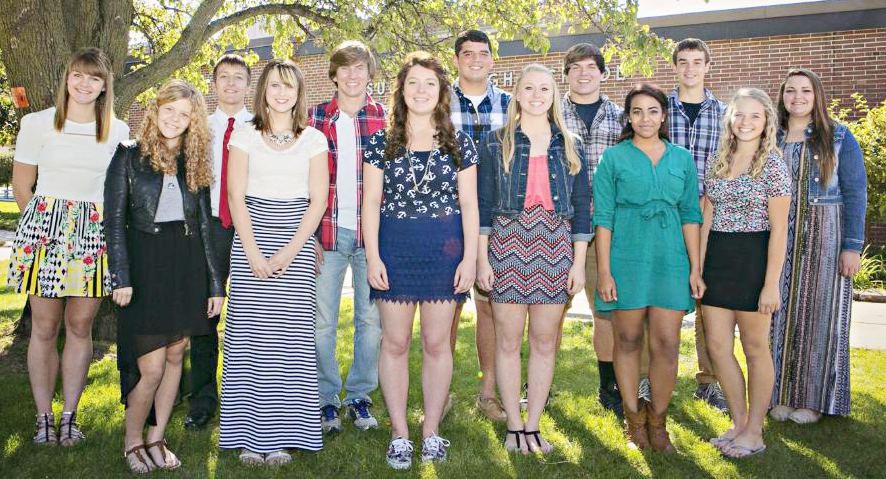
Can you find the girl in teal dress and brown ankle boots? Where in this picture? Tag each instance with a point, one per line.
(647, 217)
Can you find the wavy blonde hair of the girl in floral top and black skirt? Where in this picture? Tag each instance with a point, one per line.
(729, 143)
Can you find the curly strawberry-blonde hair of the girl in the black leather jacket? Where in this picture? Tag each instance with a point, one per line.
(196, 140)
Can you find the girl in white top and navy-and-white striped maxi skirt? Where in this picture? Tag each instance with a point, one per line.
(277, 189)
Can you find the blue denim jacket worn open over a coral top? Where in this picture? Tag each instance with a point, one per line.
(503, 193)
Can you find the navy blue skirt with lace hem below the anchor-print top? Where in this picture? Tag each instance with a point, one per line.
(420, 256)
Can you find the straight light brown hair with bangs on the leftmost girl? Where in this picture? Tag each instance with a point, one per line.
(93, 62)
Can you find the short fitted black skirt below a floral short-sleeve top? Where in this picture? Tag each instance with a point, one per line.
(735, 269)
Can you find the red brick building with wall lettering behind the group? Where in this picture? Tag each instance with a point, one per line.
(844, 41)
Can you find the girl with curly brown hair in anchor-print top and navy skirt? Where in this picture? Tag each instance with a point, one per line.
(420, 226)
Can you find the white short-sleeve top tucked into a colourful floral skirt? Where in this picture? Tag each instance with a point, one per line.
(71, 165)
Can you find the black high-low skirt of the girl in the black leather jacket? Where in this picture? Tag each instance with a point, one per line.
(169, 293)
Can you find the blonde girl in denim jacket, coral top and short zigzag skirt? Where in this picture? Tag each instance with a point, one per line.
(535, 228)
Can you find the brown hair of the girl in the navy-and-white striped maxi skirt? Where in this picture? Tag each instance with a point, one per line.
(290, 75)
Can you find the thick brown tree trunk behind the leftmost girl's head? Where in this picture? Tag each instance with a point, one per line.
(38, 36)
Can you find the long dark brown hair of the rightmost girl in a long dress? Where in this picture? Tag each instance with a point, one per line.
(821, 141)
